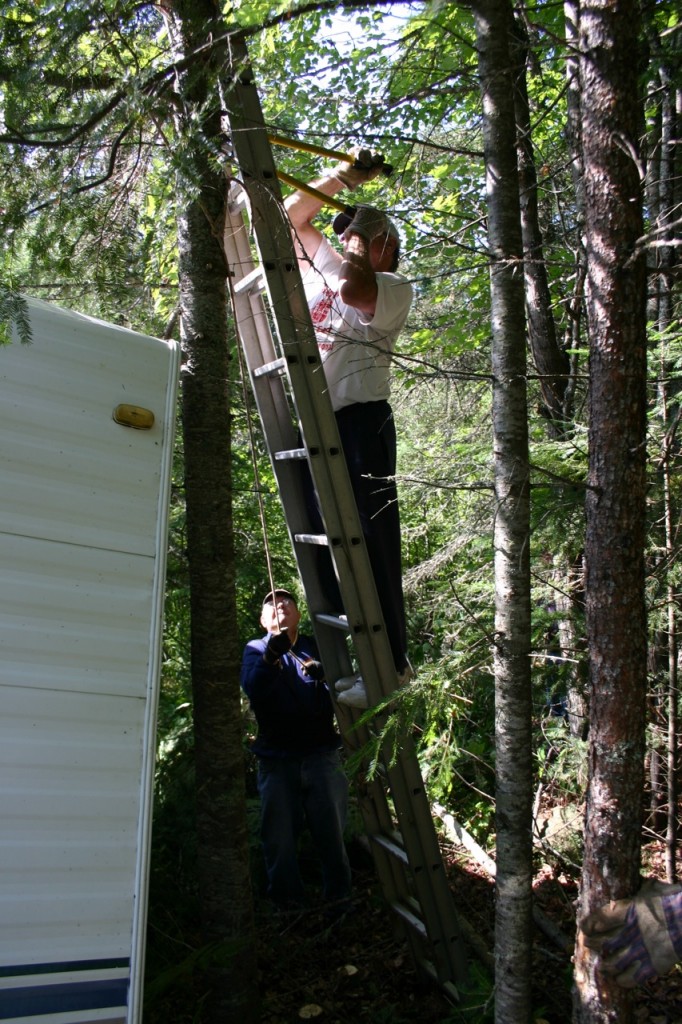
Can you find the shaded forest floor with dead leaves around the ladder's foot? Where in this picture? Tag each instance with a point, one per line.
(358, 971)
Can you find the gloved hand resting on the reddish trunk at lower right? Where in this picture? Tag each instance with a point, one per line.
(641, 938)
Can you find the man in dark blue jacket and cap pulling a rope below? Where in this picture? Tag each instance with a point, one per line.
(301, 777)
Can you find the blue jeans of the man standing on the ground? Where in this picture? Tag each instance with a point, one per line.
(295, 792)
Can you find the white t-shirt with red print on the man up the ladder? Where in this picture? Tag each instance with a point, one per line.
(356, 352)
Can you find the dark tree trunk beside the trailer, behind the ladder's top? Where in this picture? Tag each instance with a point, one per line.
(223, 833)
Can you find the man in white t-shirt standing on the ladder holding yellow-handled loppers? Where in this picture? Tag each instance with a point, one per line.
(359, 306)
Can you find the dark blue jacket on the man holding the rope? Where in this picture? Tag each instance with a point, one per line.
(294, 713)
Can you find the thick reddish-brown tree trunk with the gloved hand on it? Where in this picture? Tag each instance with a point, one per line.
(616, 504)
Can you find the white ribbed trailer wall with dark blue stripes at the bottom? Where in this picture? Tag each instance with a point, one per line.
(83, 532)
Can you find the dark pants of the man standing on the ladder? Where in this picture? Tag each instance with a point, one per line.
(368, 438)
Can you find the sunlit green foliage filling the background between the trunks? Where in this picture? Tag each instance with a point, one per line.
(90, 152)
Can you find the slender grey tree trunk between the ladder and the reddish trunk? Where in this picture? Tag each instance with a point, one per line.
(513, 649)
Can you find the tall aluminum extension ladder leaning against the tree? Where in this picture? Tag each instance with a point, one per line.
(289, 388)
